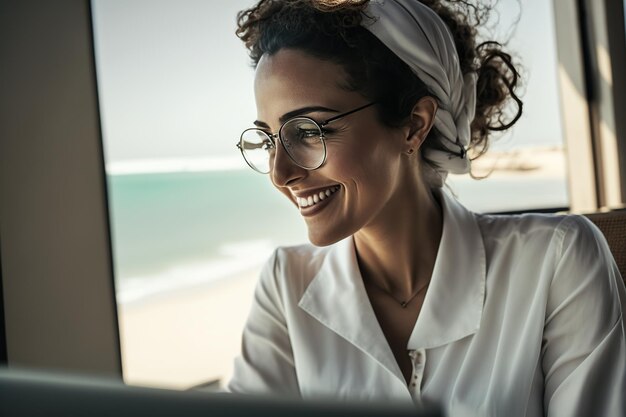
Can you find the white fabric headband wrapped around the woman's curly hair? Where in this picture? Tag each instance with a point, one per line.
(418, 36)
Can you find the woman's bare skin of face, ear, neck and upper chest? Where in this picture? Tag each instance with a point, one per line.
(382, 200)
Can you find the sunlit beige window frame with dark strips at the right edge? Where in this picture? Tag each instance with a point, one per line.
(594, 134)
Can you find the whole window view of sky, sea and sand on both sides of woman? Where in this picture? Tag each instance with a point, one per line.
(192, 224)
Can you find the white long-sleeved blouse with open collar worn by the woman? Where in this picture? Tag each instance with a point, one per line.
(523, 317)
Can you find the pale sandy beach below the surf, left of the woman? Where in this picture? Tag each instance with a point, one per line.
(185, 338)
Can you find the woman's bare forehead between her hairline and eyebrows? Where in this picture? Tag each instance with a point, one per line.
(291, 79)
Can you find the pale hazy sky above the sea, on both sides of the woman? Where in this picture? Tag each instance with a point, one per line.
(175, 82)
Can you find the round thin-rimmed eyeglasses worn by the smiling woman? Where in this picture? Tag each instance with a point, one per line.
(301, 137)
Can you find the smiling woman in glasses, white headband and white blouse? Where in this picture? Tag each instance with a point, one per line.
(363, 109)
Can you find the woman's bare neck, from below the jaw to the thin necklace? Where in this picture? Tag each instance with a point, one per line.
(397, 251)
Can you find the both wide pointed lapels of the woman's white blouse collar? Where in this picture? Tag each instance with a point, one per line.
(452, 308)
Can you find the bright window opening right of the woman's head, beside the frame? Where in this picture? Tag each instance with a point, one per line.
(527, 163)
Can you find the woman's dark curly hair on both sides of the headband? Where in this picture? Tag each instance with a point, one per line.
(331, 30)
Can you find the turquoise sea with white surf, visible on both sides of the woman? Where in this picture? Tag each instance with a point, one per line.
(180, 229)
